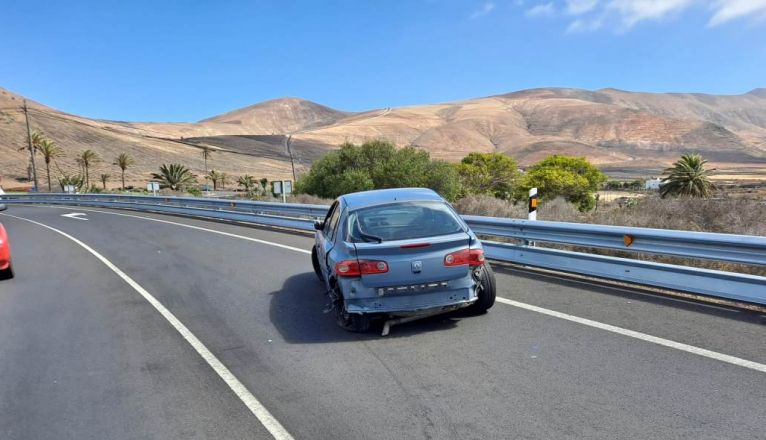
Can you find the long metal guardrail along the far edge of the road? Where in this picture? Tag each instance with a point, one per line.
(741, 249)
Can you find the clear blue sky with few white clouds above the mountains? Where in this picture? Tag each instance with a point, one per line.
(166, 60)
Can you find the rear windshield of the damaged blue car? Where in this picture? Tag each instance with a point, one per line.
(402, 221)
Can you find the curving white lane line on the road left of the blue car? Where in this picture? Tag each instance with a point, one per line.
(259, 411)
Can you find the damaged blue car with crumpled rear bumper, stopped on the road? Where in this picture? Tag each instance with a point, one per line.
(399, 255)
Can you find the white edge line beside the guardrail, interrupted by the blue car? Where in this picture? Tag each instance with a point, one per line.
(611, 328)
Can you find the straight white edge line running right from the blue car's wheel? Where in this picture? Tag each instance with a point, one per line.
(642, 336)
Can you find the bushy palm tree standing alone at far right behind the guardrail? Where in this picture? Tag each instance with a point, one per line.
(688, 177)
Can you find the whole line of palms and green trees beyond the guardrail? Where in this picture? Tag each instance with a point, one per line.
(380, 164)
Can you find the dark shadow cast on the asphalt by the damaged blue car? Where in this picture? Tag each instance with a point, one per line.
(297, 311)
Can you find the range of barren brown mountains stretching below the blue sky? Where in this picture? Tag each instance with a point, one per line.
(623, 132)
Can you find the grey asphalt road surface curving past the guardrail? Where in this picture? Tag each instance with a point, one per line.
(84, 356)
